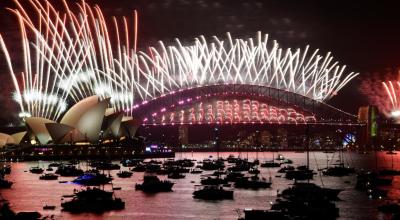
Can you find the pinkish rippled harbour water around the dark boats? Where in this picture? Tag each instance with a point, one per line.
(28, 193)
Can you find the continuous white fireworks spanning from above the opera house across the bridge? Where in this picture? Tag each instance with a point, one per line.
(69, 56)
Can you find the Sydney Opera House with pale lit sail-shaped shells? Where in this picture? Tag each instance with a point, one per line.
(88, 121)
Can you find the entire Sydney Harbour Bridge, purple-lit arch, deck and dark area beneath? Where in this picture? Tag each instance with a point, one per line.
(187, 115)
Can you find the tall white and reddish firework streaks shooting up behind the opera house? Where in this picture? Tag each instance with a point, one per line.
(66, 56)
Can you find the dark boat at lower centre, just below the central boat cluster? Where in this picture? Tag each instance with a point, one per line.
(213, 193)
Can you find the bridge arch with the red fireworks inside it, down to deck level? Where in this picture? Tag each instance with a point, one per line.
(236, 104)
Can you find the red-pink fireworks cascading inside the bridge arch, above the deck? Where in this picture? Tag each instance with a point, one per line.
(229, 111)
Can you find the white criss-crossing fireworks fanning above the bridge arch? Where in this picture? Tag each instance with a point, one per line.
(236, 61)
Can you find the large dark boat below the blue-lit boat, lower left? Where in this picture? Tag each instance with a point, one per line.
(93, 200)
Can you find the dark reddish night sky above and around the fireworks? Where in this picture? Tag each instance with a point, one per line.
(364, 35)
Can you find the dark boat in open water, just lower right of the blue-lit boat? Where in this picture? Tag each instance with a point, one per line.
(153, 184)
